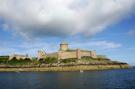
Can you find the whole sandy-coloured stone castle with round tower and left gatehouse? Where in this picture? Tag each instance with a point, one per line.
(65, 52)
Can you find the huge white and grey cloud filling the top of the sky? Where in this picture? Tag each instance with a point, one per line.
(39, 18)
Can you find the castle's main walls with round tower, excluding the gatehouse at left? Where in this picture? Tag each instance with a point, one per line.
(65, 52)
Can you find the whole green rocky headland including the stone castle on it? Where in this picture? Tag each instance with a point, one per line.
(65, 59)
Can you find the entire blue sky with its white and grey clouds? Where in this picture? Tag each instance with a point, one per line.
(107, 26)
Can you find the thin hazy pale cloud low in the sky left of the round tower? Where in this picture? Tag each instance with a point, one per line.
(27, 47)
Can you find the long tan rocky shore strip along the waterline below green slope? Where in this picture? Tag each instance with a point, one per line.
(67, 68)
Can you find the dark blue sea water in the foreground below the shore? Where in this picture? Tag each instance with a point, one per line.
(107, 79)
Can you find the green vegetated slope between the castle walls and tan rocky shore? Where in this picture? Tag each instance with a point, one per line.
(55, 61)
